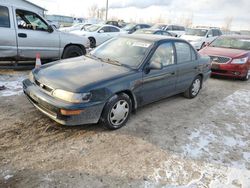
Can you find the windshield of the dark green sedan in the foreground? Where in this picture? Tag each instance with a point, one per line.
(128, 52)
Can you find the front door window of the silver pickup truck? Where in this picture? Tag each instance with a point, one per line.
(30, 21)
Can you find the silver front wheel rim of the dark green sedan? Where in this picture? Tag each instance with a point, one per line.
(119, 112)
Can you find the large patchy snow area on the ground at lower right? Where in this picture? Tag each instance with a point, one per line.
(217, 153)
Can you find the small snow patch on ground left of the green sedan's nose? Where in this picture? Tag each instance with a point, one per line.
(13, 84)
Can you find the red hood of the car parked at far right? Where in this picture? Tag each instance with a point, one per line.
(228, 52)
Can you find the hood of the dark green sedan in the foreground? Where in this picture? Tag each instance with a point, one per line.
(77, 73)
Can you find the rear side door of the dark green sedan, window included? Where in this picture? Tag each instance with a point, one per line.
(187, 65)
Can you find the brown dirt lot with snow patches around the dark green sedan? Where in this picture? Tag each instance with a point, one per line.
(177, 143)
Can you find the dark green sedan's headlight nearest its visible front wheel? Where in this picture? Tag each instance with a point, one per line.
(71, 97)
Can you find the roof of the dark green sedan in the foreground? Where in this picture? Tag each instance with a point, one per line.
(151, 38)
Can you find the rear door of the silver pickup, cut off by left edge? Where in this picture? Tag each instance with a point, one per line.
(8, 44)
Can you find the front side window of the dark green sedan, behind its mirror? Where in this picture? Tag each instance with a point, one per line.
(164, 54)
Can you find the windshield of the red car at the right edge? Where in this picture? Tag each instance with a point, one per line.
(235, 43)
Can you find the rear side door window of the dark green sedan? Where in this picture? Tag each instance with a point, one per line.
(183, 52)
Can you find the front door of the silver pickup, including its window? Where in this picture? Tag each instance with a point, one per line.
(33, 36)
